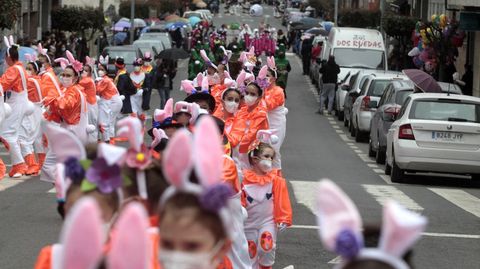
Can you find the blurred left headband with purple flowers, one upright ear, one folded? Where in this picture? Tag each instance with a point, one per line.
(72, 166)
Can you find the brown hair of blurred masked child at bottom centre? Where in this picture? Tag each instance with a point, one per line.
(173, 210)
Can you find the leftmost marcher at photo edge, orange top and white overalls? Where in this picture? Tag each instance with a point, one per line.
(14, 80)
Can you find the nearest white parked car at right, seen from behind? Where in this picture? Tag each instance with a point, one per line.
(435, 132)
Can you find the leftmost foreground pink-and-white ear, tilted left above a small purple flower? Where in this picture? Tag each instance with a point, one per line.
(66, 143)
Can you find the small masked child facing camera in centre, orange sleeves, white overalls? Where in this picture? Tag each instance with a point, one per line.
(267, 202)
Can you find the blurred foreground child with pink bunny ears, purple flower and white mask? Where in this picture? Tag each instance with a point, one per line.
(195, 214)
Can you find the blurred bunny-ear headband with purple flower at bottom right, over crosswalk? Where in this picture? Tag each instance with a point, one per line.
(341, 228)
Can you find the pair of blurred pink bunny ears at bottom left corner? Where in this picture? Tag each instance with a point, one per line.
(82, 244)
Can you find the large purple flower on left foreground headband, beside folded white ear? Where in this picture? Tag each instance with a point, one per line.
(106, 177)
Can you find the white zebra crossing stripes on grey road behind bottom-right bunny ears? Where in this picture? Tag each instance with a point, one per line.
(304, 193)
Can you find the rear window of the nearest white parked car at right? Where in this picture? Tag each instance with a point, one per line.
(445, 110)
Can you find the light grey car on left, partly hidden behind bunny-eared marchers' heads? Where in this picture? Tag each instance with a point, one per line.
(128, 53)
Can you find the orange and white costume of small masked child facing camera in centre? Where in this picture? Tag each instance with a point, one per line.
(268, 206)
